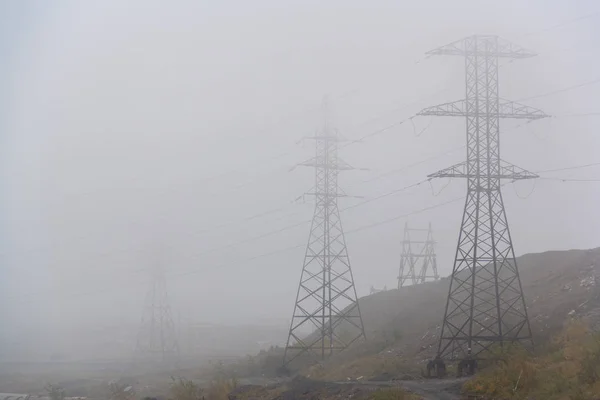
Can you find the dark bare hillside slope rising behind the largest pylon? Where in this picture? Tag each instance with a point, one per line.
(402, 325)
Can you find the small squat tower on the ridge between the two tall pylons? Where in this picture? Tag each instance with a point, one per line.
(417, 254)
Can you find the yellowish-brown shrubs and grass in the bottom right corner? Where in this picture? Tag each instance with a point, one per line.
(567, 369)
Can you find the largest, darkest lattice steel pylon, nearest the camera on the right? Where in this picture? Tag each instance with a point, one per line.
(485, 302)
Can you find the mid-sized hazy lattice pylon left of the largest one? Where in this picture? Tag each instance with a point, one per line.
(326, 301)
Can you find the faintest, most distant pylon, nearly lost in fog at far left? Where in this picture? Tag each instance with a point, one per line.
(157, 339)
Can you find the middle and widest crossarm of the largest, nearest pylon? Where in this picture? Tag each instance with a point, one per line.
(506, 109)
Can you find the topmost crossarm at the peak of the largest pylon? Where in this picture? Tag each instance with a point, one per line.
(477, 45)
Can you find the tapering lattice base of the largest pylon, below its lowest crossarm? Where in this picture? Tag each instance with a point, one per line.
(485, 302)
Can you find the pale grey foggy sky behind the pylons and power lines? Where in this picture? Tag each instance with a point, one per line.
(120, 119)
